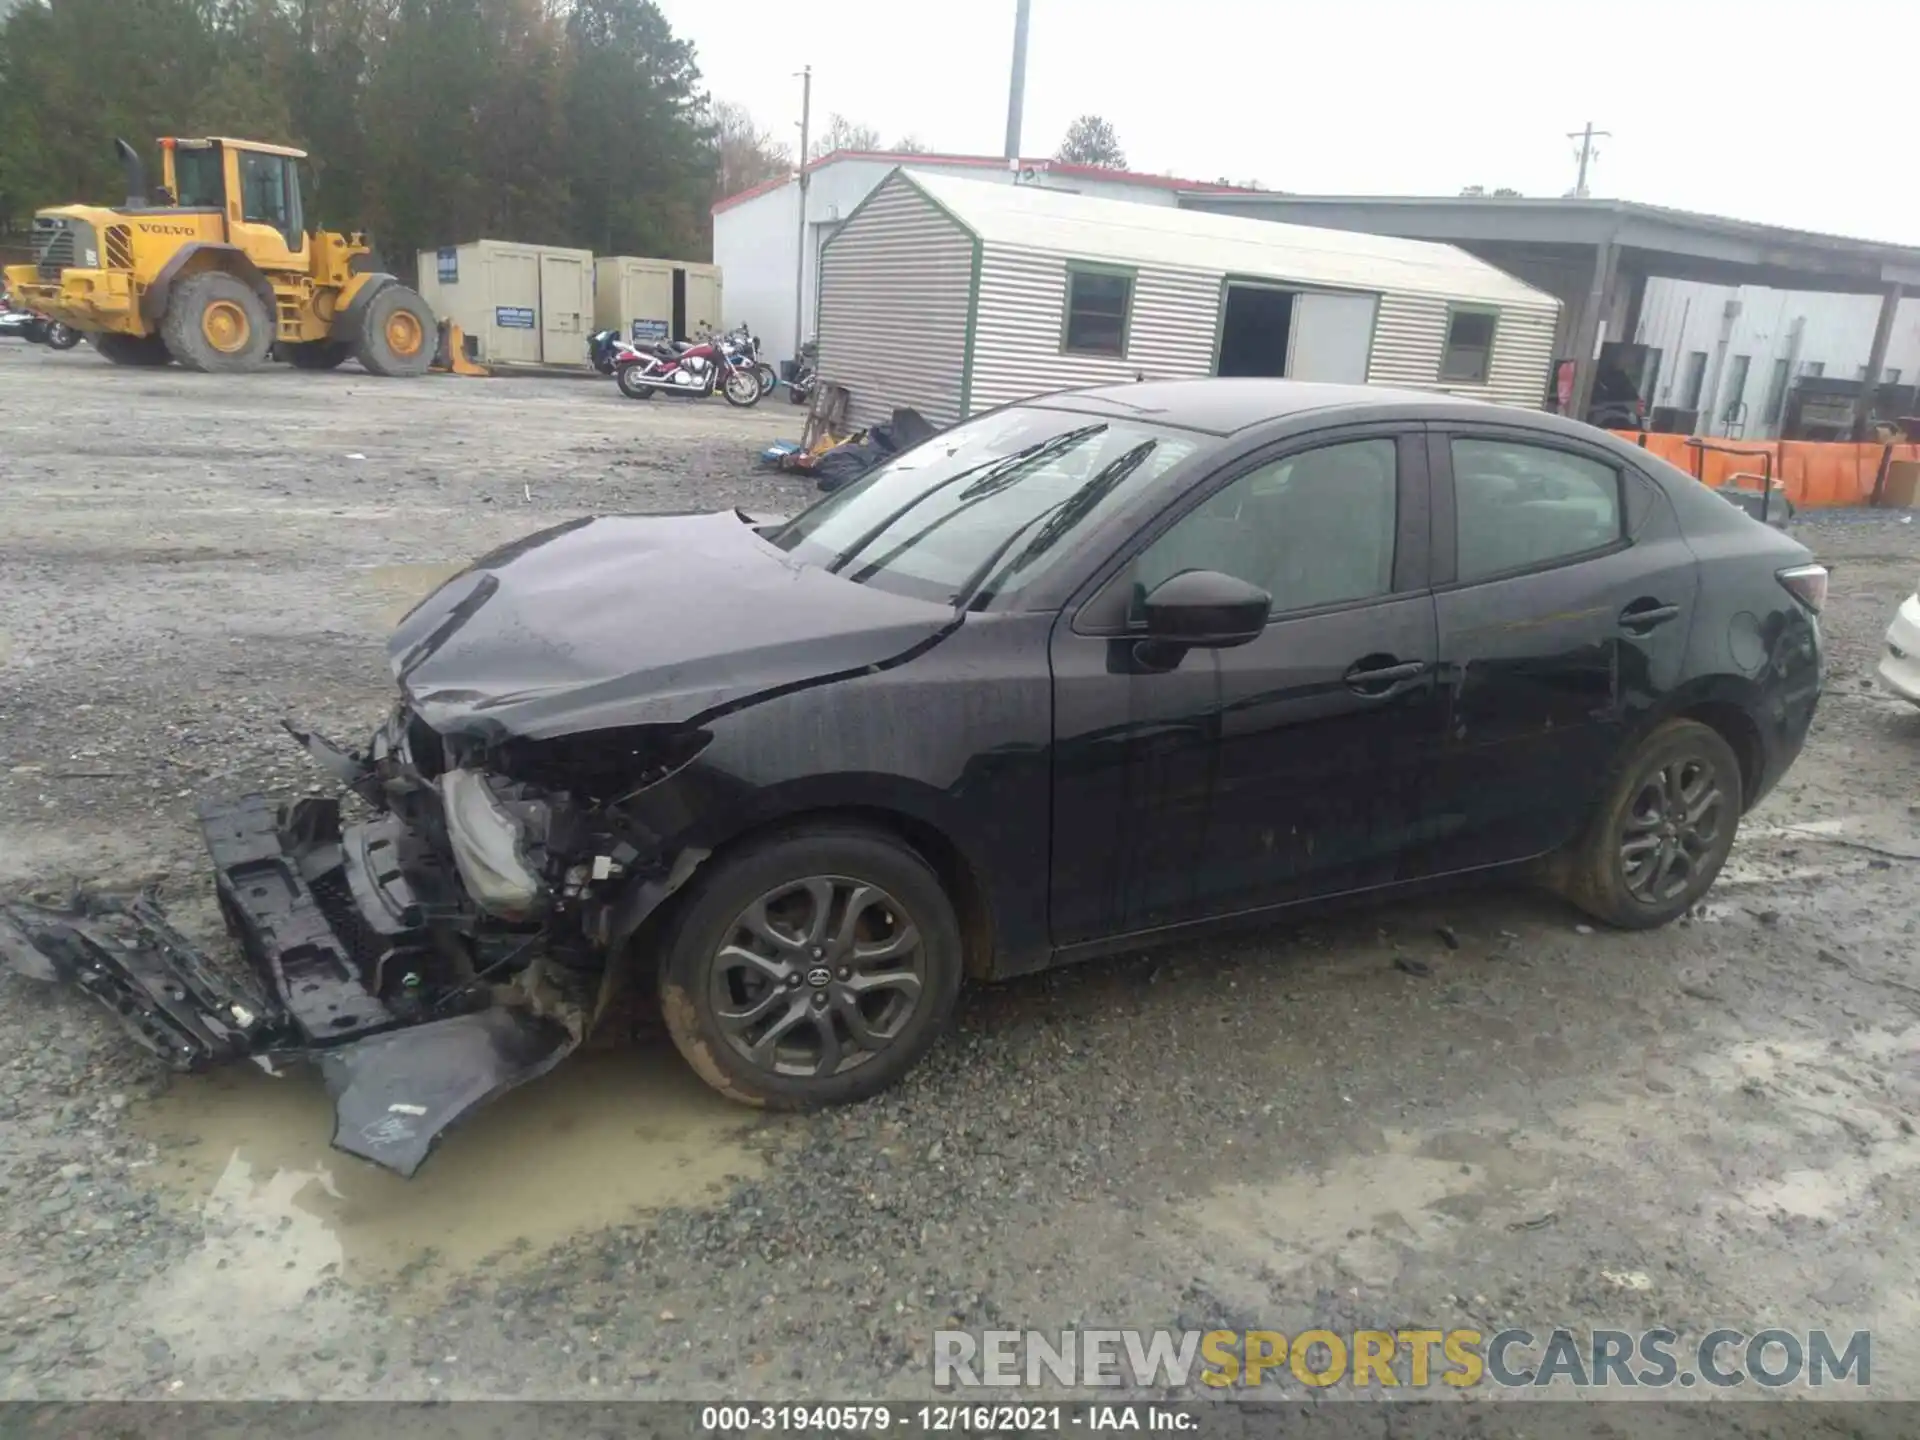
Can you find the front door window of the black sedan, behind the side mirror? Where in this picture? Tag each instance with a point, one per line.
(1314, 529)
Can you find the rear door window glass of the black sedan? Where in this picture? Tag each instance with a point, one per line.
(1520, 508)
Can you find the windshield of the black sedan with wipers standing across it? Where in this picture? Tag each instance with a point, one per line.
(986, 506)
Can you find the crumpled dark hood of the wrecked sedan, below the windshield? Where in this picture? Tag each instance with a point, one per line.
(638, 619)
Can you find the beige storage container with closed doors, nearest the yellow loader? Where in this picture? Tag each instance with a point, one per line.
(517, 304)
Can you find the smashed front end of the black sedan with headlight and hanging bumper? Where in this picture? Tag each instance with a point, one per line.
(433, 951)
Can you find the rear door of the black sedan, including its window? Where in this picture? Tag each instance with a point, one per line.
(1564, 594)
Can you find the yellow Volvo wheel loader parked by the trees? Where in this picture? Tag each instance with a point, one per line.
(220, 274)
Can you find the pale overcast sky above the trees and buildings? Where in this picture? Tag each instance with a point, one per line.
(1748, 110)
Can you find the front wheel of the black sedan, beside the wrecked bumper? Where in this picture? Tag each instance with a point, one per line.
(882, 1013)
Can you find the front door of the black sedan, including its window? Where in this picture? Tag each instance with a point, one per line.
(1276, 771)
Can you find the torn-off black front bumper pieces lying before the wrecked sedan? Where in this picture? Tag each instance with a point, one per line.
(352, 963)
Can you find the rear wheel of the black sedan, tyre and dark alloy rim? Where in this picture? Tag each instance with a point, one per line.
(1662, 832)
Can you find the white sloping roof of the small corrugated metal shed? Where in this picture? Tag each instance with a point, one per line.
(1126, 233)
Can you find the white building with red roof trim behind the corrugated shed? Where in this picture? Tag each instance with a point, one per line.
(757, 233)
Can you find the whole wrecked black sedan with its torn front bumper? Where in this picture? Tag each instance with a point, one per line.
(1093, 671)
